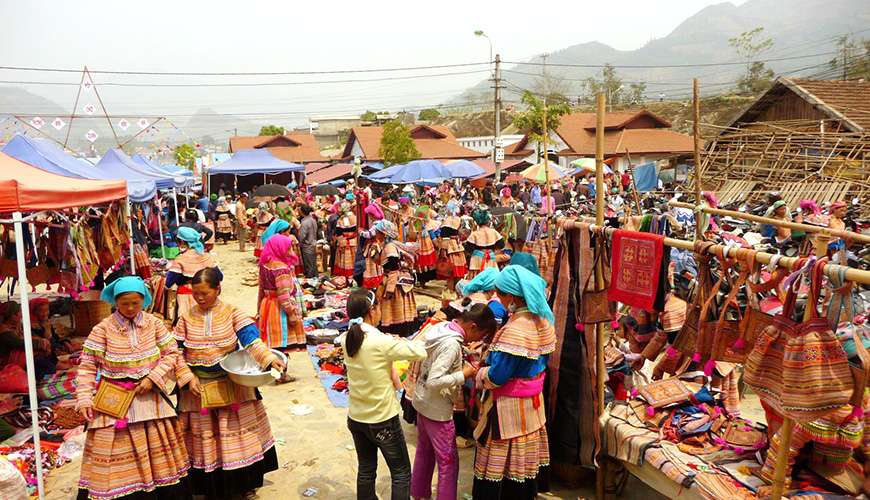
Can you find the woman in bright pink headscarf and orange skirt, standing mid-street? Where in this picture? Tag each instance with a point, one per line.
(280, 303)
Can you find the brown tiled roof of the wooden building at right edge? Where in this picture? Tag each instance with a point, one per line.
(847, 103)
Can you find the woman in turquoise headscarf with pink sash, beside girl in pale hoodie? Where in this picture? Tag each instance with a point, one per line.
(513, 461)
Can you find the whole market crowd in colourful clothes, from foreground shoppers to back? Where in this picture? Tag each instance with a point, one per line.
(478, 364)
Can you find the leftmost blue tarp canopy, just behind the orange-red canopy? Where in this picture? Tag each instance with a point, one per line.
(45, 155)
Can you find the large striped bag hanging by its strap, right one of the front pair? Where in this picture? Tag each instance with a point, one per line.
(815, 370)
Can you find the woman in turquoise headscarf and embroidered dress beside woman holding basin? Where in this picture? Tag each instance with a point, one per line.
(141, 455)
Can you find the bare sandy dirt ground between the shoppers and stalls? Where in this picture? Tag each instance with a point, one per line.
(316, 450)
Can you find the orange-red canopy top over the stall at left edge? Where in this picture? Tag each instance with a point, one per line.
(28, 189)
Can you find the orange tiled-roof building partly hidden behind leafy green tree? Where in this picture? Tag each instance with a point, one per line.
(434, 142)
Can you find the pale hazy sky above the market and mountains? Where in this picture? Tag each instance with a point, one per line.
(255, 35)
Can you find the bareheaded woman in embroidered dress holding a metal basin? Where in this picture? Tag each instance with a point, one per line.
(230, 447)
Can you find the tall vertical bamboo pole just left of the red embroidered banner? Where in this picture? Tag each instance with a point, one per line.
(600, 369)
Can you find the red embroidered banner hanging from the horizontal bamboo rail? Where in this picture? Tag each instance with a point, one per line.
(635, 267)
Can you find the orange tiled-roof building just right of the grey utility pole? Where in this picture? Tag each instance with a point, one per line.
(641, 135)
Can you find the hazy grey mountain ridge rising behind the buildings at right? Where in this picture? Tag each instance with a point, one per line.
(797, 27)
